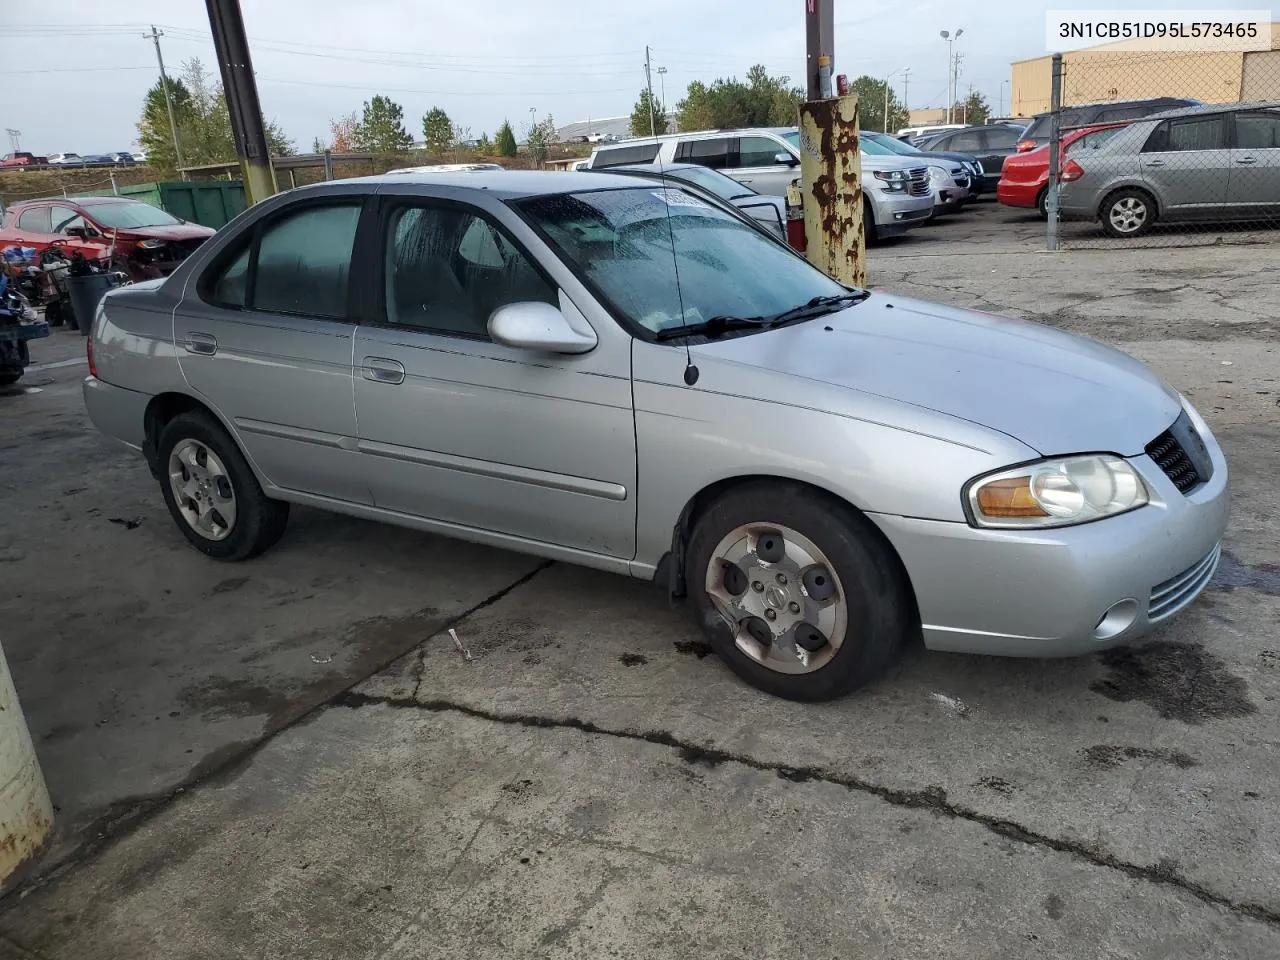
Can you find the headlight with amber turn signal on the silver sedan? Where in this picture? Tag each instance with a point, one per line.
(1057, 493)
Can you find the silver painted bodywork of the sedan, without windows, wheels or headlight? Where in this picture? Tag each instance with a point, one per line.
(892, 405)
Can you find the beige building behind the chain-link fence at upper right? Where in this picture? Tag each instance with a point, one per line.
(1112, 72)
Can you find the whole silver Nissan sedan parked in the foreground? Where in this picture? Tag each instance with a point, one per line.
(627, 377)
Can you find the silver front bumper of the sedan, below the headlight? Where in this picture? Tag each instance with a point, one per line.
(1048, 593)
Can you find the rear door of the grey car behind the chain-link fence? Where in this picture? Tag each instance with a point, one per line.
(1187, 164)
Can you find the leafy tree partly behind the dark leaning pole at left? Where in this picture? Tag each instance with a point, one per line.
(203, 120)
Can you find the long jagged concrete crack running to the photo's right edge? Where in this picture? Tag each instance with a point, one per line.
(934, 799)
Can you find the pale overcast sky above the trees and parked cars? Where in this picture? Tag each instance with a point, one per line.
(75, 72)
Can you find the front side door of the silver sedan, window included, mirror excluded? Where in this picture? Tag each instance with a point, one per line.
(460, 429)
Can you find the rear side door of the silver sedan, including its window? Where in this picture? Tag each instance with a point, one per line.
(266, 336)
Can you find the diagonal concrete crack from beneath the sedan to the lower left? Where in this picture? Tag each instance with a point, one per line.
(126, 816)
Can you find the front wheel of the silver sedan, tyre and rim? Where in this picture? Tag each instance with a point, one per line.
(799, 593)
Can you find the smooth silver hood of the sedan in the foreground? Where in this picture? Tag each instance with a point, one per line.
(1055, 392)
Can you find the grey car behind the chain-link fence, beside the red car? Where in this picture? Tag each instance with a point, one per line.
(1201, 163)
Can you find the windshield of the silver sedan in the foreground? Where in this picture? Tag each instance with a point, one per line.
(634, 244)
